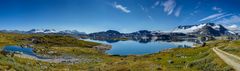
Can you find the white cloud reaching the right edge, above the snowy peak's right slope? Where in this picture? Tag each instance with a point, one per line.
(235, 19)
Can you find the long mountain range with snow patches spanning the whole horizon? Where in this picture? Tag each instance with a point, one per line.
(204, 29)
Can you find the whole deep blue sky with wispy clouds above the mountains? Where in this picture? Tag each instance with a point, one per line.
(122, 15)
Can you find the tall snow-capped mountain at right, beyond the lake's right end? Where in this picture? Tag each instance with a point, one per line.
(204, 29)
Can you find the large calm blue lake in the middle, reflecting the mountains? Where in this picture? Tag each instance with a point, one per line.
(135, 48)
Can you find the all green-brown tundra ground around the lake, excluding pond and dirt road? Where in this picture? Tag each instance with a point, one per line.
(200, 58)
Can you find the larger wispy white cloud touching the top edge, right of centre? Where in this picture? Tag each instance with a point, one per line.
(169, 6)
